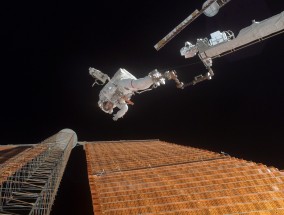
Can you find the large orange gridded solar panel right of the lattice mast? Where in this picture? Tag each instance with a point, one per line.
(155, 177)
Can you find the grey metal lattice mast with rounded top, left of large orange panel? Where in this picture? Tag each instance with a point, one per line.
(29, 181)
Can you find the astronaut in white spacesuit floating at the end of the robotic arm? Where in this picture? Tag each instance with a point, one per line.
(119, 89)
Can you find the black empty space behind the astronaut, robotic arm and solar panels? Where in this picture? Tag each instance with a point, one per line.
(48, 47)
